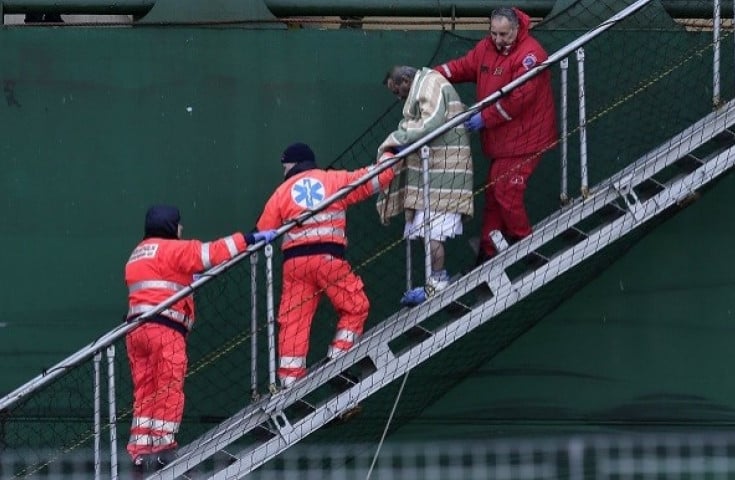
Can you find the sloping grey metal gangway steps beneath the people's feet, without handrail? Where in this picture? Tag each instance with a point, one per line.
(666, 177)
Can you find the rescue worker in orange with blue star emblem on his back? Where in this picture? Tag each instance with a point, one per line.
(314, 256)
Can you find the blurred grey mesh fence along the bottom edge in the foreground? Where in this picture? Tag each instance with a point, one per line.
(575, 457)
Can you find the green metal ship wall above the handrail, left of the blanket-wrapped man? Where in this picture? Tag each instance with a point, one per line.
(96, 127)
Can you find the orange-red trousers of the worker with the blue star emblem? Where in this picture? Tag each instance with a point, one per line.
(304, 280)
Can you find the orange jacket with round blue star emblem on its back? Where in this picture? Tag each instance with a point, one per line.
(306, 190)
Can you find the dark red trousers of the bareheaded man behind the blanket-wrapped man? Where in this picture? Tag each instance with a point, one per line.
(504, 208)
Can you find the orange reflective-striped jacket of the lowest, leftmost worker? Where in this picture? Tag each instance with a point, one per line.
(160, 267)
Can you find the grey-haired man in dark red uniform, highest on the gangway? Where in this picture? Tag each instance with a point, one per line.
(517, 129)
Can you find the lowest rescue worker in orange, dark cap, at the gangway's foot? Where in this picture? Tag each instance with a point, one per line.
(161, 265)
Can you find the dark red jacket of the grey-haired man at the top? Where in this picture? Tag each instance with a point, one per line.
(524, 121)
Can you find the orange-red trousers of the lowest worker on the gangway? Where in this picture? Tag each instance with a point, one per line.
(158, 363)
